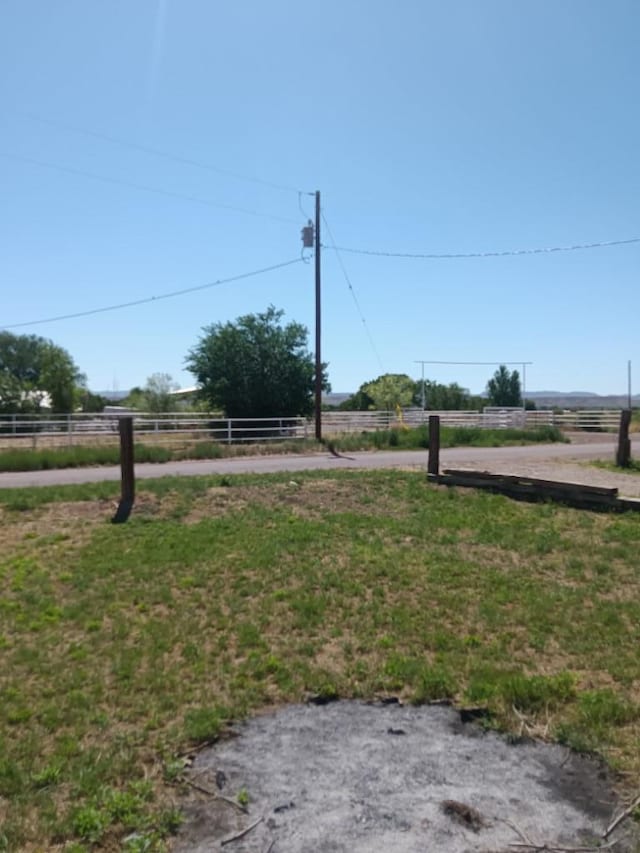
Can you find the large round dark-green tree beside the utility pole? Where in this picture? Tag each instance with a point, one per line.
(255, 367)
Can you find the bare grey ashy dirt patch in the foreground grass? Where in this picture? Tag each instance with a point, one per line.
(357, 777)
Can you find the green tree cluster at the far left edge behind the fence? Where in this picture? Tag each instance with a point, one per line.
(35, 372)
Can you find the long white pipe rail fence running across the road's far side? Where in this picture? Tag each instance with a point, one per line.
(57, 430)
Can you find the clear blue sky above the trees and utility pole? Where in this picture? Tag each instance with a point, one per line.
(429, 127)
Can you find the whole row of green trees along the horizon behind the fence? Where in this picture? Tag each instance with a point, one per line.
(253, 367)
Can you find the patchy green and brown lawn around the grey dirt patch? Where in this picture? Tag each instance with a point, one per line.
(122, 647)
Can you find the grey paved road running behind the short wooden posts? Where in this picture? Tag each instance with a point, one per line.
(494, 458)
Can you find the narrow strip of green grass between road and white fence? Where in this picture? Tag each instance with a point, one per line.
(78, 456)
